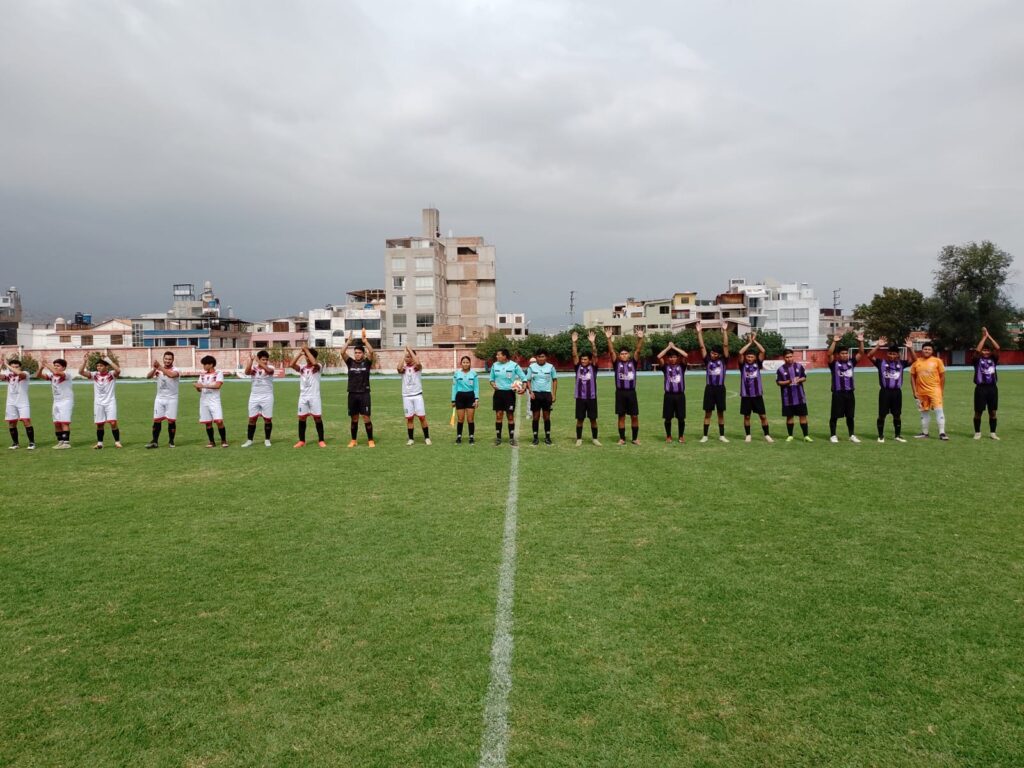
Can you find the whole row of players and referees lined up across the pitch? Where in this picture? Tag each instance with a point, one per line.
(539, 385)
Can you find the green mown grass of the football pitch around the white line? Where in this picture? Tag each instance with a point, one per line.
(675, 606)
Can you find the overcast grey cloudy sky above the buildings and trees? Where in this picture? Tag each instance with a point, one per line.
(616, 149)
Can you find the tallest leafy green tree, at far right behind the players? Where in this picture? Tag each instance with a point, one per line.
(970, 292)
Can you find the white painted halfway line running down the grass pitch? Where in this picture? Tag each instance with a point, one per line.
(494, 745)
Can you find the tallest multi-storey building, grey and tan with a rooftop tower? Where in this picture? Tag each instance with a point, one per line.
(442, 290)
